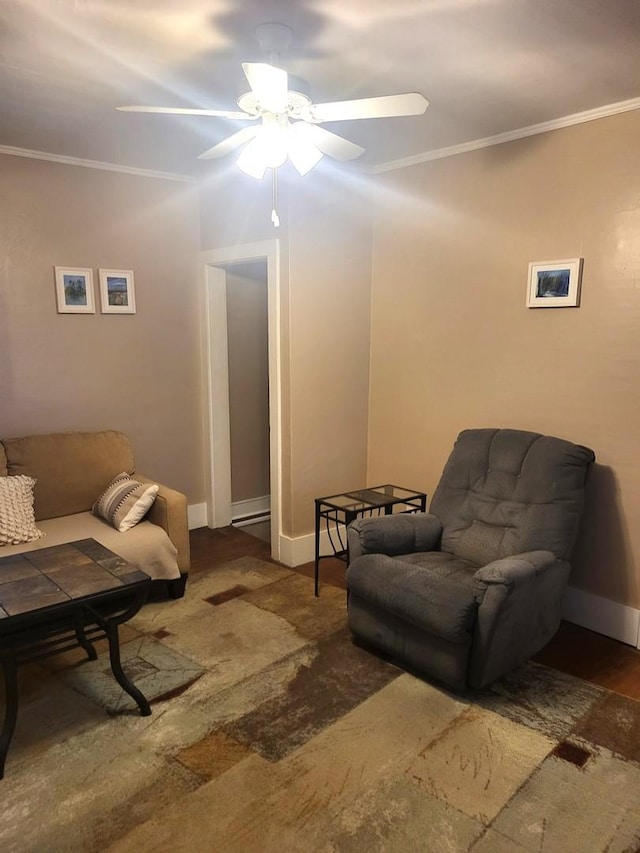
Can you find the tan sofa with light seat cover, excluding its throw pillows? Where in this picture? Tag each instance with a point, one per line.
(72, 469)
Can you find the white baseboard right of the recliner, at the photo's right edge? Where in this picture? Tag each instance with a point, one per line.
(607, 617)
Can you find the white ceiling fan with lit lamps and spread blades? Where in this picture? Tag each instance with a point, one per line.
(284, 122)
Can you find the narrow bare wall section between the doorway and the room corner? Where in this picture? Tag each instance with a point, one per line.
(330, 294)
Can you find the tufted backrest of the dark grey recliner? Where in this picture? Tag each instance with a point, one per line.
(505, 492)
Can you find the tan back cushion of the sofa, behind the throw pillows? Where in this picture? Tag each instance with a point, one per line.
(70, 468)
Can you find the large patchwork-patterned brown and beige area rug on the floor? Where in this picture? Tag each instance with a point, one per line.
(272, 731)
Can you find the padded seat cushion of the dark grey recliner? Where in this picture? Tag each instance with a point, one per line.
(441, 600)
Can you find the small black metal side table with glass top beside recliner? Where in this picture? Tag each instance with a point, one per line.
(338, 511)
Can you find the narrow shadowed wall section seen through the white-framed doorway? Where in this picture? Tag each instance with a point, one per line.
(248, 346)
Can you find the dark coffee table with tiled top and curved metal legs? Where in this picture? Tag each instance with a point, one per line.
(59, 598)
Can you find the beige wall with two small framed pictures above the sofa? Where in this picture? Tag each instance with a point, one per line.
(136, 373)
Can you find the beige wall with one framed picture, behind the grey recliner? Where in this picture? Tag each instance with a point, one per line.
(453, 345)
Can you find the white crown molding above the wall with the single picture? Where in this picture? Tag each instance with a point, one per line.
(510, 136)
